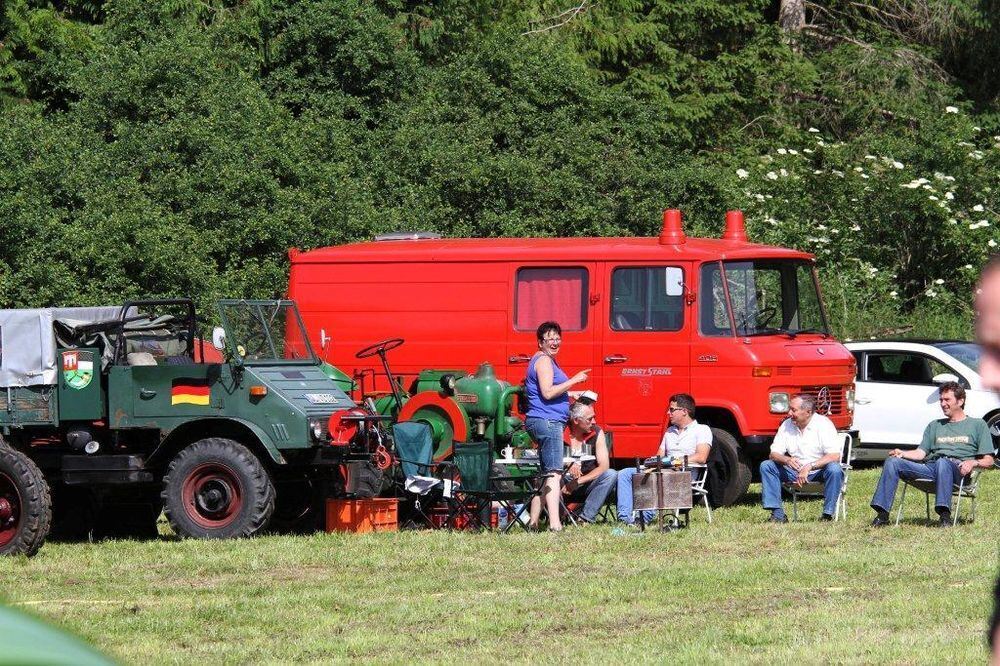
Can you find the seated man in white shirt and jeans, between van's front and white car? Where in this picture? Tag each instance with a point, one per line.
(806, 448)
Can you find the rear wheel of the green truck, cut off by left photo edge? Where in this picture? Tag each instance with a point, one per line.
(25, 504)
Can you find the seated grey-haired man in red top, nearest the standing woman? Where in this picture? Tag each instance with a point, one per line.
(591, 481)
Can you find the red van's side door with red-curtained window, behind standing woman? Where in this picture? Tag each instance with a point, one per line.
(560, 293)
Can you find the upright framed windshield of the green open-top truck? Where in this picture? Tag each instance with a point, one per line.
(265, 331)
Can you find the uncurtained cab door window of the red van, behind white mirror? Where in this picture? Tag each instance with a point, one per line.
(640, 302)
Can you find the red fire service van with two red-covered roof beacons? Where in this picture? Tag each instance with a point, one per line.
(740, 326)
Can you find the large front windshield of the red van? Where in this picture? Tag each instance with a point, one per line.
(765, 297)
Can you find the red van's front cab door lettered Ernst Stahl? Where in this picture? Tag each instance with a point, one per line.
(643, 352)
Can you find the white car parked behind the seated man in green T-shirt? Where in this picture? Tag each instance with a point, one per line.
(897, 391)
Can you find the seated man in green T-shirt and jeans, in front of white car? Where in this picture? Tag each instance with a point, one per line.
(951, 448)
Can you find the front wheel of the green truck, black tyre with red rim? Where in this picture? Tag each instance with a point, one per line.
(217, 489)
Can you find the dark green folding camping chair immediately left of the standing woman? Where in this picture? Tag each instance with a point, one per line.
(476, 490)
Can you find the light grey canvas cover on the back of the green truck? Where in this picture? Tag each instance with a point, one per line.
(28, 341)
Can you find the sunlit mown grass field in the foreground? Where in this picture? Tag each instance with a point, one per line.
(737, 590)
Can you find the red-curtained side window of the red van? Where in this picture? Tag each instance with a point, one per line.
(551, 294)
